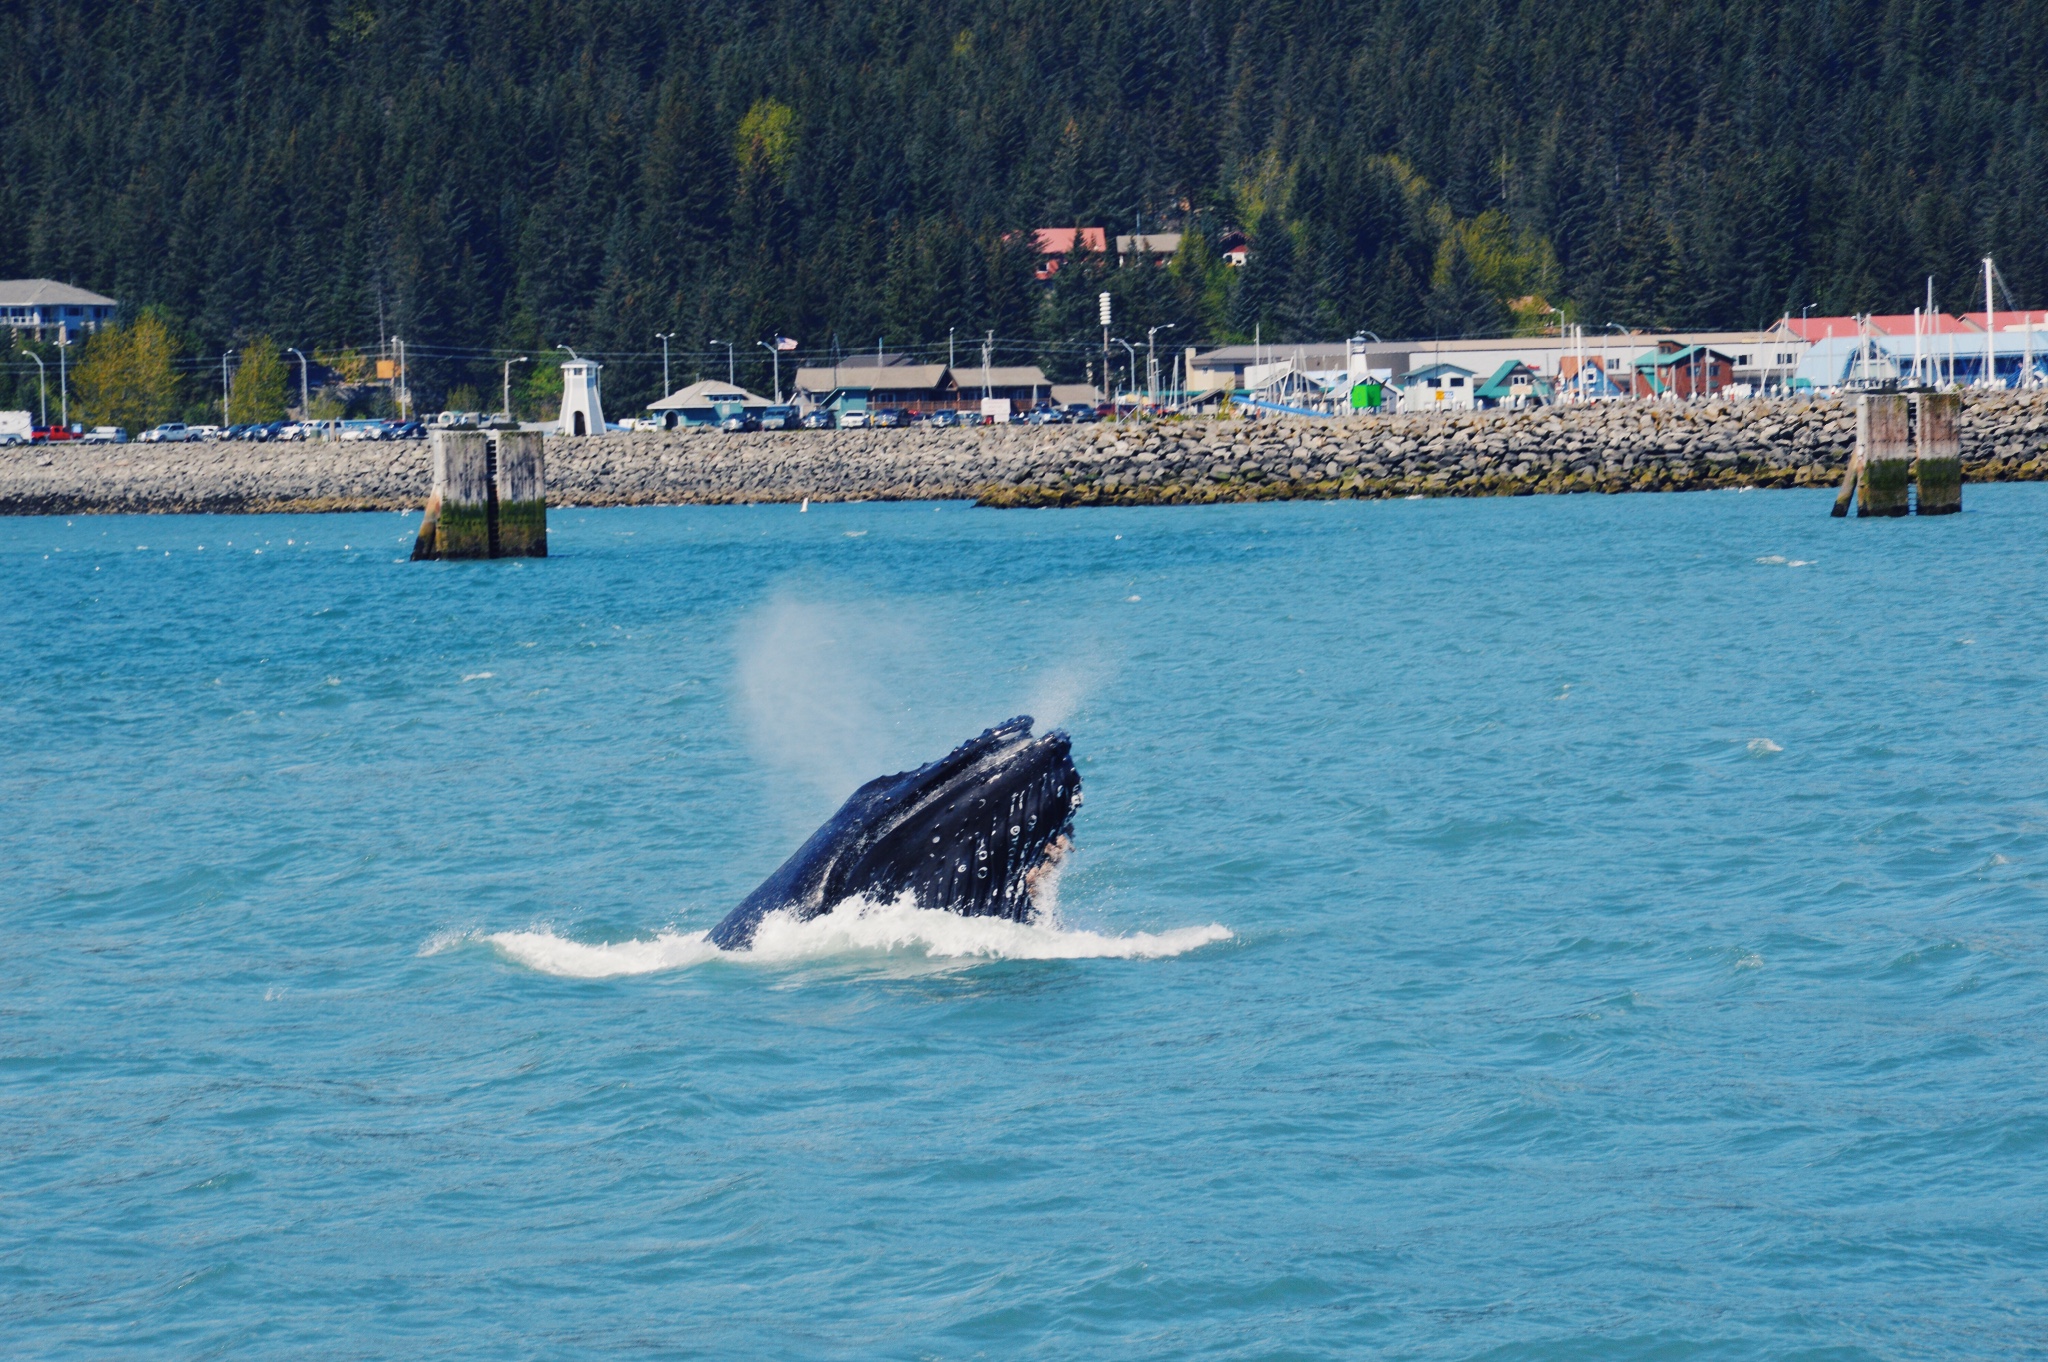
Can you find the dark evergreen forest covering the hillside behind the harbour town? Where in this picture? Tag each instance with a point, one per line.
(499, 179)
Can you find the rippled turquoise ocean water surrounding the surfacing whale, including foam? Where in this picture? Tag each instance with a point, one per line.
(1531, 929)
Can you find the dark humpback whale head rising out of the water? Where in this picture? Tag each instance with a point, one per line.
(970, 833)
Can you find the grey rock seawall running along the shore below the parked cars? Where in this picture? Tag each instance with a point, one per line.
(1621, 448)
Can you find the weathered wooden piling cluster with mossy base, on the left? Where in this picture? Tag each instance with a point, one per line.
(490, 497)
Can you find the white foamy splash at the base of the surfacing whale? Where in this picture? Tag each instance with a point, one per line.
(855, 929)
